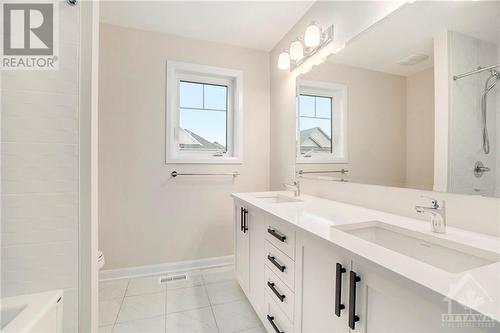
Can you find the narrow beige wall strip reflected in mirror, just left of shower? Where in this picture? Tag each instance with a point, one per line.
(420, 130)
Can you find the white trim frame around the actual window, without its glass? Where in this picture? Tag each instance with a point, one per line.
(216, 75)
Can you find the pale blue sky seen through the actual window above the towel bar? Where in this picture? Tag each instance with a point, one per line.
(203, 110)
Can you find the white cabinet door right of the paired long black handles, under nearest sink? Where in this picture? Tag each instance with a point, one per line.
(387, 303)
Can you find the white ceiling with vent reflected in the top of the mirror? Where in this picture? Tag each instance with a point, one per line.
(410, 30)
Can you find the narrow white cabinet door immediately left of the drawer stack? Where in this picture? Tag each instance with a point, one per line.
(257, 229)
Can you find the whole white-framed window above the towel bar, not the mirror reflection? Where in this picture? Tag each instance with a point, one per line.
(203, 114)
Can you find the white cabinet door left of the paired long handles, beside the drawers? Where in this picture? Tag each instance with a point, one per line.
(317, 283)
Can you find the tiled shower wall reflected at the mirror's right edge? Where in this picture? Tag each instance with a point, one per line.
(466, 148)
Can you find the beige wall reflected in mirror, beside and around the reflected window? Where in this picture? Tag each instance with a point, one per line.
(376, 123)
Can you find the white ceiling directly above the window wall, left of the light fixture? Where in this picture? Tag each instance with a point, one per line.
(252, 24)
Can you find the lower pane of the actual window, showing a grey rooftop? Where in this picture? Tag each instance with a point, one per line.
(202, 130)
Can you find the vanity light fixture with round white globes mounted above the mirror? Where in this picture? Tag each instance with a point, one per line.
(317, 43)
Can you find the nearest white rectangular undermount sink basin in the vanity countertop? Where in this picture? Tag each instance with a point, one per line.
(441, 253)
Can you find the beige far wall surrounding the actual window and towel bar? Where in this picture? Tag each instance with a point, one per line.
(145, 216)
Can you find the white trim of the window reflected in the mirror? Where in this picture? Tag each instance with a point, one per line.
(339, 94)
